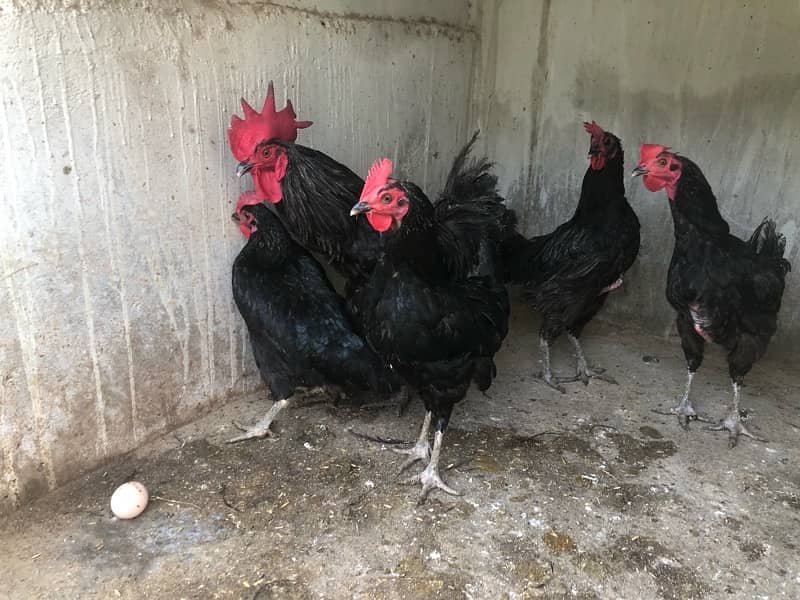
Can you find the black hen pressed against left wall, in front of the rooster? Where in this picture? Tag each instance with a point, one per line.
(300, 331)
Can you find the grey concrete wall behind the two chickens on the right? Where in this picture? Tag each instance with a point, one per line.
(718, 81)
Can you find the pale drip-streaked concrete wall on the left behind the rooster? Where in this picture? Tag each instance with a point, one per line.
(117, 184)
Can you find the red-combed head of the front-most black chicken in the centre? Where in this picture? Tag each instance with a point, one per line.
(383, 199)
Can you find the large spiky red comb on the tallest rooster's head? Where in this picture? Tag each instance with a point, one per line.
(245, 134)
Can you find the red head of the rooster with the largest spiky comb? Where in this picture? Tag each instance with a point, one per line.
(252, 142)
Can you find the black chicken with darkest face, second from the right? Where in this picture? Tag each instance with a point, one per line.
(568, 273)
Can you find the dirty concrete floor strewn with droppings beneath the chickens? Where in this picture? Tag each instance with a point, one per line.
(586, 495)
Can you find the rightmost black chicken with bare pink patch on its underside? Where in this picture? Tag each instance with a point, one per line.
(723, 289)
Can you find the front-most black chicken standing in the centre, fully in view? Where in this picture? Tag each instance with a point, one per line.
(434, 307)
